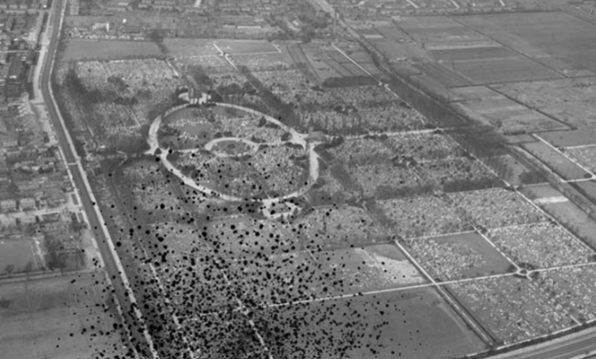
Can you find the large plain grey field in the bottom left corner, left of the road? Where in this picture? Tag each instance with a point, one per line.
(61, 317)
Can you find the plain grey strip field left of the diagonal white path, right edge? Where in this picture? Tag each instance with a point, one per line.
(556, 161)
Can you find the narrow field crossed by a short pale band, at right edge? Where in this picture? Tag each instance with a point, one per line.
(564, 211)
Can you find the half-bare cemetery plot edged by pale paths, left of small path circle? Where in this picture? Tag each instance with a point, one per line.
(457, 256)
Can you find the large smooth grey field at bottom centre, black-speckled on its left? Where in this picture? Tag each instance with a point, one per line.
(413, 324)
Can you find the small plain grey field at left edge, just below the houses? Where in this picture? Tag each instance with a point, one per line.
(18, 254)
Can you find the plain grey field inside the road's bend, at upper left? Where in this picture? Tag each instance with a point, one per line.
(80, 50)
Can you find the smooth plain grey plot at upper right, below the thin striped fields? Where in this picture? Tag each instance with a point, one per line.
(504, 70)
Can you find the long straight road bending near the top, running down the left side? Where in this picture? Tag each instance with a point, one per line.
(111, 262)
